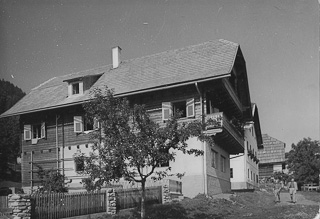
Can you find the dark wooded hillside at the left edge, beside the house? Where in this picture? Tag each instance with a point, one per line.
(9, 130)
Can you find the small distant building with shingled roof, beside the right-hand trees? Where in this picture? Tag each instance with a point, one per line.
(271, 156)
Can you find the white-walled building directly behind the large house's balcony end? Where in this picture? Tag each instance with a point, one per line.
(244, 171)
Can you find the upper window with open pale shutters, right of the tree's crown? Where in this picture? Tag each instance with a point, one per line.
(186, 108)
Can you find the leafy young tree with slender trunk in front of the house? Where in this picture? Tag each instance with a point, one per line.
(130, 145)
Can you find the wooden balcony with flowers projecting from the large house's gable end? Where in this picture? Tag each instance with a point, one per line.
(227, 135)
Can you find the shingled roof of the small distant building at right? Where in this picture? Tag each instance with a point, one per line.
(273, 150)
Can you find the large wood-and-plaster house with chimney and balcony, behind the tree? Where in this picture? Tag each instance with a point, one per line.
(204, 81)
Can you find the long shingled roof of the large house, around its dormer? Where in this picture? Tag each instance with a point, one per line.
(171, 68)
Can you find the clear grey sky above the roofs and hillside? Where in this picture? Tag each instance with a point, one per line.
(41, 39)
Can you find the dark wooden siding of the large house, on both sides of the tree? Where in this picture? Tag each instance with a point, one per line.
(44, 152)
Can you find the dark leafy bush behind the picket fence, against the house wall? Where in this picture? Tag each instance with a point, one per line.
(51, 181)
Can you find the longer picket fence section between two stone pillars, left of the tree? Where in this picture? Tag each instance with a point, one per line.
(60, 205)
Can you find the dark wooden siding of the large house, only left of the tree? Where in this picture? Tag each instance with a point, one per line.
(44, 152)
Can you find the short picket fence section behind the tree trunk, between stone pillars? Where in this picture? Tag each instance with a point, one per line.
(130, 198)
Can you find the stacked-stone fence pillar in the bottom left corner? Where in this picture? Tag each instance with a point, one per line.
(21, 205)
